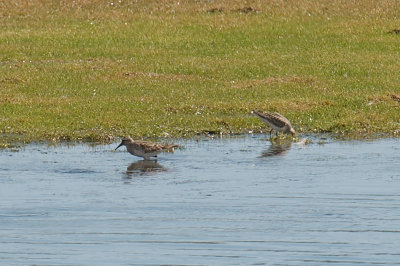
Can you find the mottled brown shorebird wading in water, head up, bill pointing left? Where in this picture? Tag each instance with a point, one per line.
(144, 149)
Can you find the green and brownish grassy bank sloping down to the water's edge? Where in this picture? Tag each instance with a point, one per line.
(94, 70)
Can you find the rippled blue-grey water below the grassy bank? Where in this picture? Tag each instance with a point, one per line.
(233, 201)
